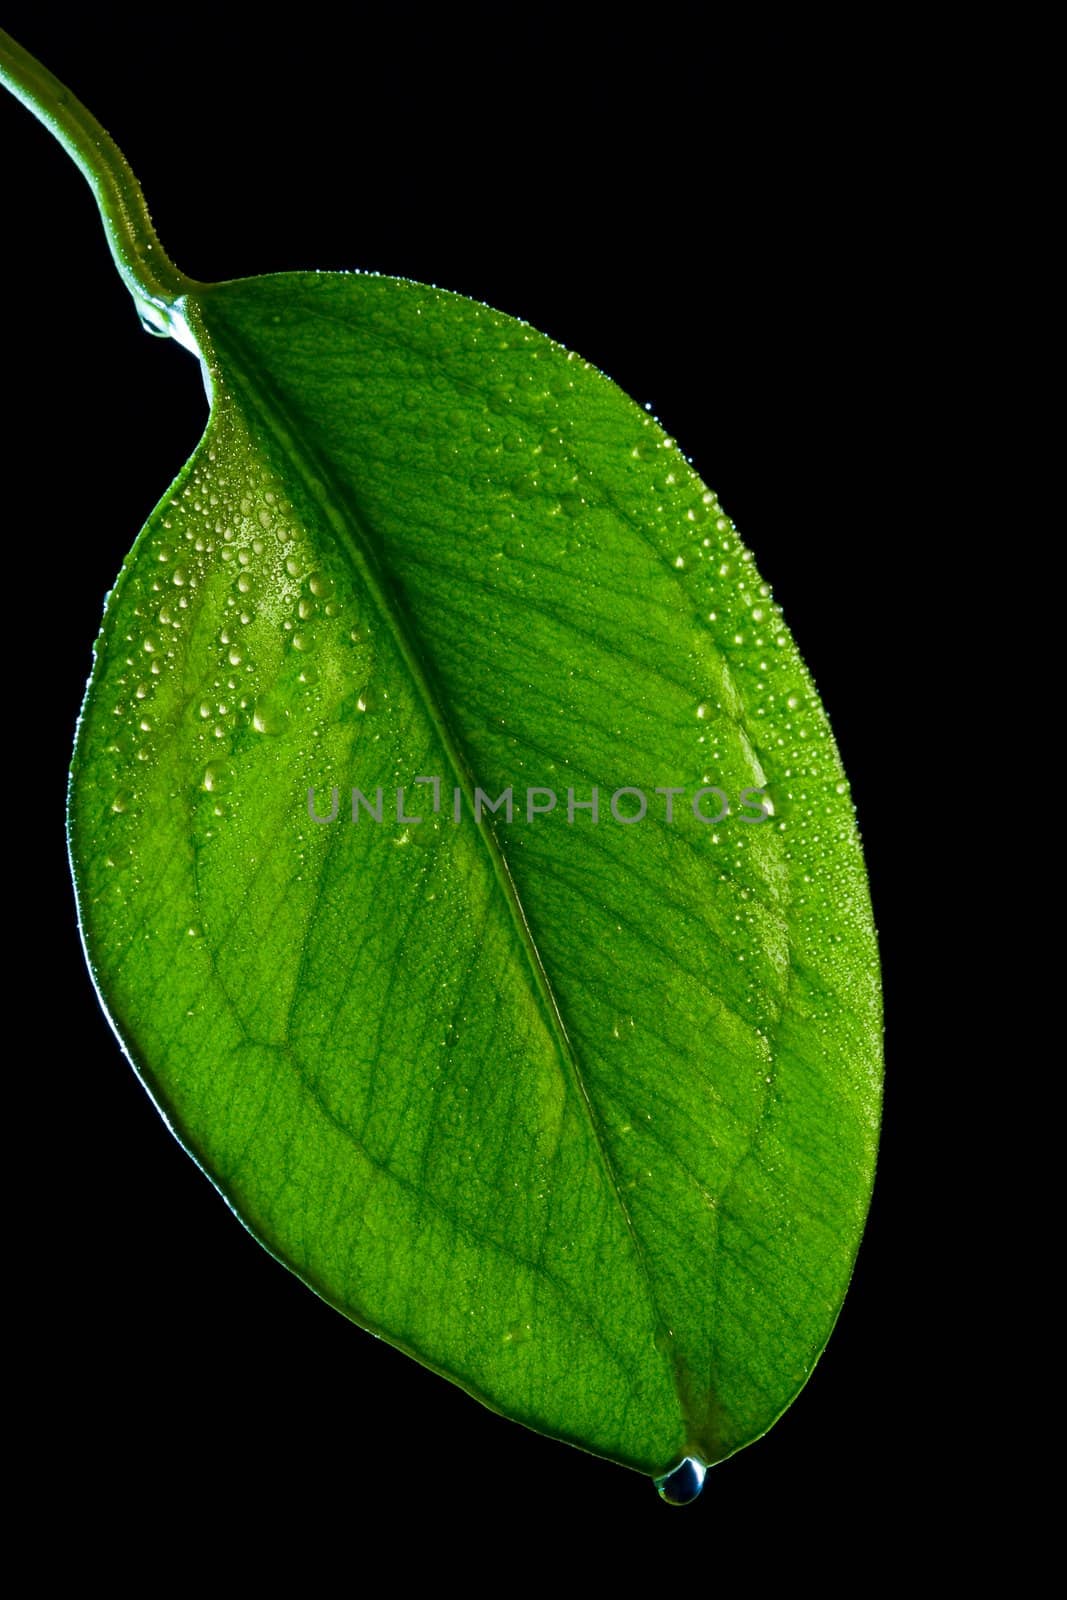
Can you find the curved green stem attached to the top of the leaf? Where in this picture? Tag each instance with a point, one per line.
(148, 273)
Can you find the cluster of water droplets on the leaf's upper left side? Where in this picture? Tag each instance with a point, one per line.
(225, 614)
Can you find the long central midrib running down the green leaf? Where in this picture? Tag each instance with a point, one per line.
(318, 473)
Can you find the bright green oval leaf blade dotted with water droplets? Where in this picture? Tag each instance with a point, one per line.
(583, 1114)
